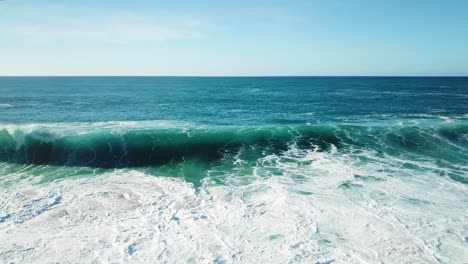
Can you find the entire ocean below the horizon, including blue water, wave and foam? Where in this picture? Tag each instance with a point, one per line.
(233, 170)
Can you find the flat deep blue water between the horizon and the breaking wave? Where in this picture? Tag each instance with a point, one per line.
(230, 101)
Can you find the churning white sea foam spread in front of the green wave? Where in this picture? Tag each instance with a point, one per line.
(320, 208)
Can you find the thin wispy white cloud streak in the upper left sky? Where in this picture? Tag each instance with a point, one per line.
(117, 29)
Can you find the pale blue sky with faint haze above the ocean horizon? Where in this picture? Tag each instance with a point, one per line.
(307, 37)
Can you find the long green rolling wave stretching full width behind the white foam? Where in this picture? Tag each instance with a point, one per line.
(154, 147)
